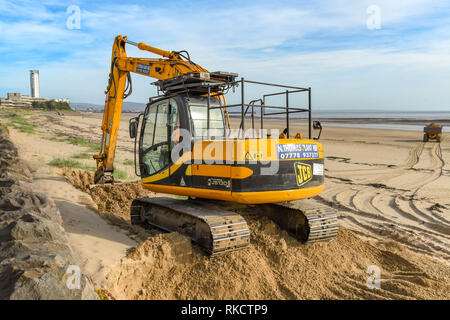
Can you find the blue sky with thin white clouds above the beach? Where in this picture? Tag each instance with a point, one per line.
(355, 55)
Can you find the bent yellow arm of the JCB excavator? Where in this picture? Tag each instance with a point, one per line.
(173, 64)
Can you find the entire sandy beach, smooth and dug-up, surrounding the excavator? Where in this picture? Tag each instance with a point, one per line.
(391, 190)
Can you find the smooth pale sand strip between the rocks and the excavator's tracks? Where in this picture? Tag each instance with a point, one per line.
(96, 244)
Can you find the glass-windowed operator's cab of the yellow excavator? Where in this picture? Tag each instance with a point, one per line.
(166, 122)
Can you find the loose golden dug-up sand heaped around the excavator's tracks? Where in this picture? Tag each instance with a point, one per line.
(275, 266)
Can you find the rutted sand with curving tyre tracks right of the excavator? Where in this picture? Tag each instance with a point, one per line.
(375, 207)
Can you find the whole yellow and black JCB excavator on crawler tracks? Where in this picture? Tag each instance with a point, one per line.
(187, 147)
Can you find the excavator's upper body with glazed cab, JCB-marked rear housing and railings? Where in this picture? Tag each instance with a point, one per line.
(243, 165)
